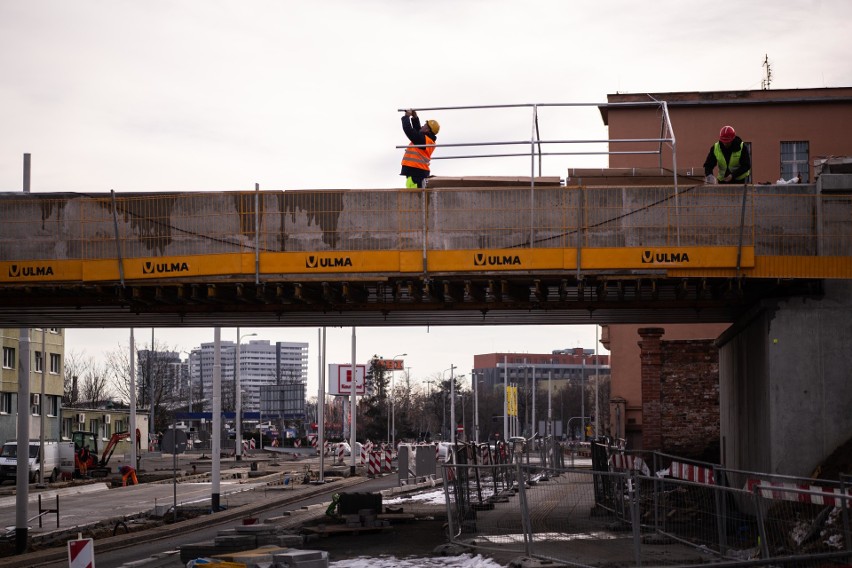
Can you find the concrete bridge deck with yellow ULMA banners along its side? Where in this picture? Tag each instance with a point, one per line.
(517, 254)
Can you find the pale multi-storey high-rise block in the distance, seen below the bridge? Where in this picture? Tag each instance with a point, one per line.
(262, 364)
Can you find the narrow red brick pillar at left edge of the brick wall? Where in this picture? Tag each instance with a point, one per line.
(652, 365)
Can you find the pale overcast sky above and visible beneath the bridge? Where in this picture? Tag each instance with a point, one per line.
(209, 95)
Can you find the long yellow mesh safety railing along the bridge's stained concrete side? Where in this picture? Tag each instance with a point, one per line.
(776, 223)
